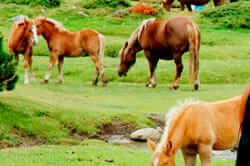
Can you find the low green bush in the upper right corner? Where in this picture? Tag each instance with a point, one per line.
(233, 15)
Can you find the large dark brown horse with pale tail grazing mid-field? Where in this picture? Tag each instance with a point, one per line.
(166, 40)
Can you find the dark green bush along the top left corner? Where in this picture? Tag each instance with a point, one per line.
(47, 3)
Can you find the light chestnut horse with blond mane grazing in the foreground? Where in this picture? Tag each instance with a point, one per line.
(199, 127)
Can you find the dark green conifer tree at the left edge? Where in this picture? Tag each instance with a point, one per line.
(8, 69)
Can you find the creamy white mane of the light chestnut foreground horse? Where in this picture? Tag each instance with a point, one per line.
(172, 113)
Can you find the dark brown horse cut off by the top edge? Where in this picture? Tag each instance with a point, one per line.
(167, 3)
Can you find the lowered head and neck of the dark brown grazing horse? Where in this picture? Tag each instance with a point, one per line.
(128, 54)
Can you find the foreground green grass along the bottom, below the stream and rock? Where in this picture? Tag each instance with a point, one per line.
(88, 153)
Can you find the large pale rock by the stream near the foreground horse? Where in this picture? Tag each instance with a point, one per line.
(146, 133)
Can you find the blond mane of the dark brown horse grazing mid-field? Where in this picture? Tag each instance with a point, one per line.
(138, 32)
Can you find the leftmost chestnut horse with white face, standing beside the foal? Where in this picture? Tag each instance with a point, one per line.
(23, 35)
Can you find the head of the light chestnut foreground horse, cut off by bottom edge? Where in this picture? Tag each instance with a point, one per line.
(162, 155)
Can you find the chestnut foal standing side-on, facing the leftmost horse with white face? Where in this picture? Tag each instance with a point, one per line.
(63, 43)
